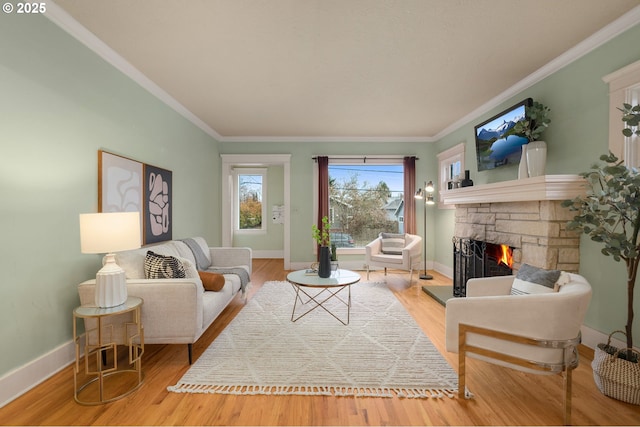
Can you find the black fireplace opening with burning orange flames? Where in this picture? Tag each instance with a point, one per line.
(475, 258)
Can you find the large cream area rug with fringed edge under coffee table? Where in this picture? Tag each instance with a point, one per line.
(382, 352)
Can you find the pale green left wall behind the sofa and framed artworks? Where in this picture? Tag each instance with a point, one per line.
(60, 104)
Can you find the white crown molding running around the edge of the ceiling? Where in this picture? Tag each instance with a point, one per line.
(65, 21)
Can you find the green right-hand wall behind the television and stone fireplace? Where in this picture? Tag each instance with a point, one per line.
(577, 136)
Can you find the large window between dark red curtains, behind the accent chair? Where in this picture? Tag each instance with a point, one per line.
(364, 200)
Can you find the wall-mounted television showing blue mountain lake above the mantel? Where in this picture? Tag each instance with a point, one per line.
(496, 143)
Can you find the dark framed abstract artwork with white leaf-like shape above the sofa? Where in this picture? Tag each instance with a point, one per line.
(157, 204)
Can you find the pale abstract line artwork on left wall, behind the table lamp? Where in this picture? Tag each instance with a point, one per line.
(119, 183)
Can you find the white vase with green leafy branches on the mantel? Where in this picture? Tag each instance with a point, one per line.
(537, 120)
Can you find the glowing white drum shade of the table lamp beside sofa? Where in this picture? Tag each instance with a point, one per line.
(109, 232)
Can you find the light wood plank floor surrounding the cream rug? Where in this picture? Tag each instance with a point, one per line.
(502, 396)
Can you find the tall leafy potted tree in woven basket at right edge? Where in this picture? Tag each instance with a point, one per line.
(610, 214)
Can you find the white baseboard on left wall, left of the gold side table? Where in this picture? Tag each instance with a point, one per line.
(19, 381)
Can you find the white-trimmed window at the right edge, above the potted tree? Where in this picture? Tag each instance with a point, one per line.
(624, 87)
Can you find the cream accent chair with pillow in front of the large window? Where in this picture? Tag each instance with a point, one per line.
(407, 260)
